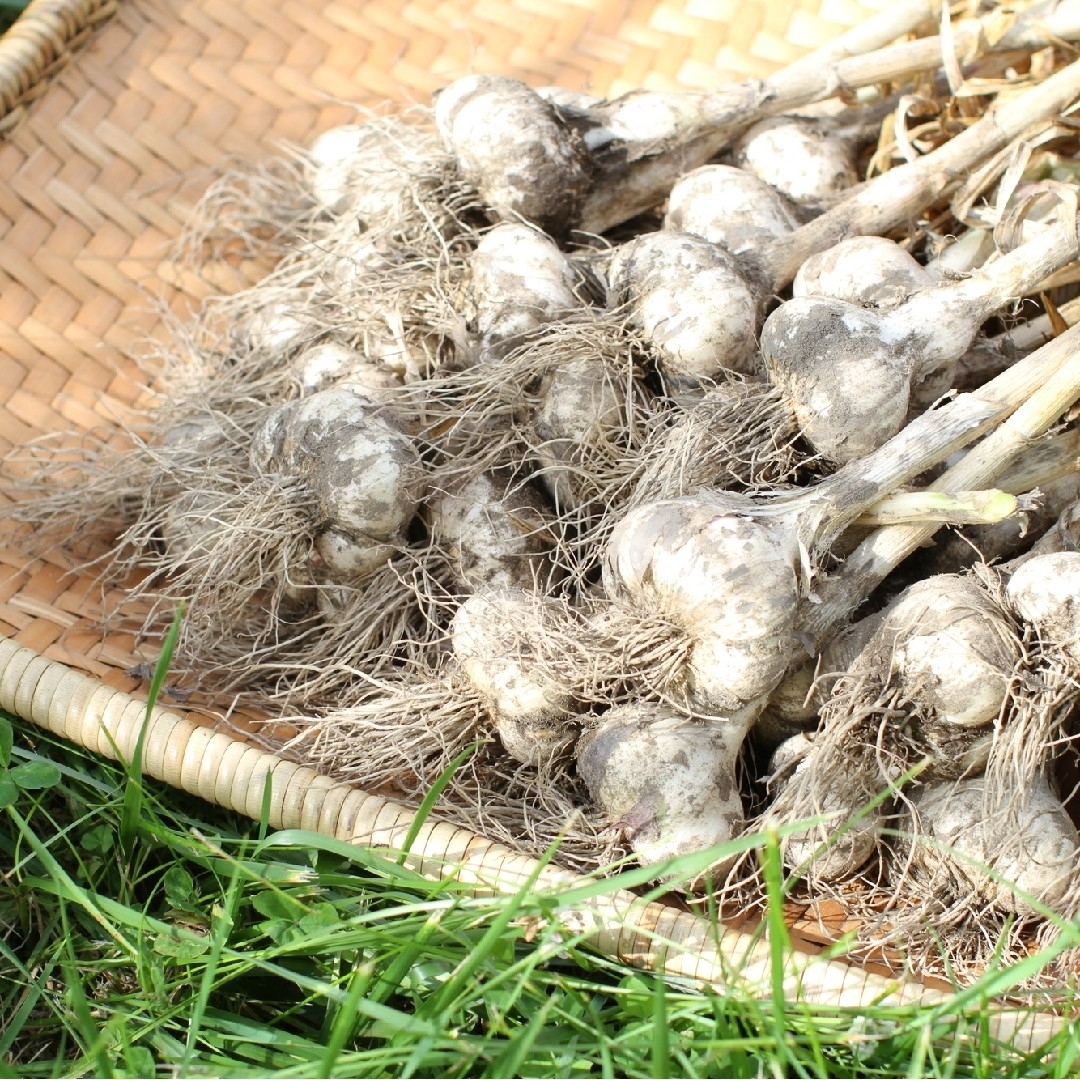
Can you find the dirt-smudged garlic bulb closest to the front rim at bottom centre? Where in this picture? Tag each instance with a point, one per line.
(668, 782)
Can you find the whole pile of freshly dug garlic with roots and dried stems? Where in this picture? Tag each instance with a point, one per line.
(578, 430)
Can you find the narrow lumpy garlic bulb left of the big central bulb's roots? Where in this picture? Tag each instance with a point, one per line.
(497, 636)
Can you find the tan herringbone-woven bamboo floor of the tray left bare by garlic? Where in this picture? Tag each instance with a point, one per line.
(119, 114)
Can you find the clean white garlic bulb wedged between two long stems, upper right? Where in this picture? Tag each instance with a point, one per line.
(799, 157)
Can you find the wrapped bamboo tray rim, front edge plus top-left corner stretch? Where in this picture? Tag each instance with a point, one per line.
(104, 719)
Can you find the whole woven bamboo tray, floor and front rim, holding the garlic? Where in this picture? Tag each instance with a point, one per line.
(117, 116)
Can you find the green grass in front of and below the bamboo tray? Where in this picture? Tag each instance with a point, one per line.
(195, 948)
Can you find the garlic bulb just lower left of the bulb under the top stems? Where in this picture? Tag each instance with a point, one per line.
(731, 208)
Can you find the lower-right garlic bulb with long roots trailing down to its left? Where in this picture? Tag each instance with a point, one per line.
(926, 687)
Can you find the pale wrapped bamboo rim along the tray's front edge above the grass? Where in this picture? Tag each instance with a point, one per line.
(233, 774)
